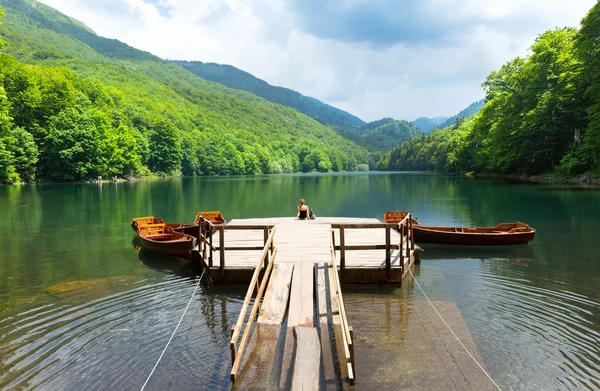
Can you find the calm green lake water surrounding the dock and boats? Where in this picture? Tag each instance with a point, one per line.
(80, 307)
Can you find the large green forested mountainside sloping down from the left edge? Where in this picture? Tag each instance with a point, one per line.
(74, 105)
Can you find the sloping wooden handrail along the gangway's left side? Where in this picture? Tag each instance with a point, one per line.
(237, 352)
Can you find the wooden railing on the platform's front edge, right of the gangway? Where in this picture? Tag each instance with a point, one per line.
(405, 246)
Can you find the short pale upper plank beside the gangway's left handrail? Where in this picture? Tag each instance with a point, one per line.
(278, 292)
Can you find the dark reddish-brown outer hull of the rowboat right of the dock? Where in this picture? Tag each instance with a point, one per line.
(433, 236)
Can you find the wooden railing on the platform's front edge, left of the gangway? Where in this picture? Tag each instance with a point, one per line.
(207, 231)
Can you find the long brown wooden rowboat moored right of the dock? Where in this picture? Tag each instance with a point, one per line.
(502, 234)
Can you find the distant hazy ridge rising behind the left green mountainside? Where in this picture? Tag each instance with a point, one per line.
(233, 77)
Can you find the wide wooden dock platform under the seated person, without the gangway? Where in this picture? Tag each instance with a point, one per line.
(362, 258)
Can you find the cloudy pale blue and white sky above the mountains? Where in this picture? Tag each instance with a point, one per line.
(373, 58)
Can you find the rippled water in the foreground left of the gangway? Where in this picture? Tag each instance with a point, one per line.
(113, 342)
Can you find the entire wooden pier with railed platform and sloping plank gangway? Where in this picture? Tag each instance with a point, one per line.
(295, 269)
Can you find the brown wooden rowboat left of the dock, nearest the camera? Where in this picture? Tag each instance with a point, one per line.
(163, 239)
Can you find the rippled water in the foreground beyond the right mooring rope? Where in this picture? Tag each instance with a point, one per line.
(531, 337)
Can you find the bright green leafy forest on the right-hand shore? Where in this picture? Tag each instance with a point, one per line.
(541, 116)
